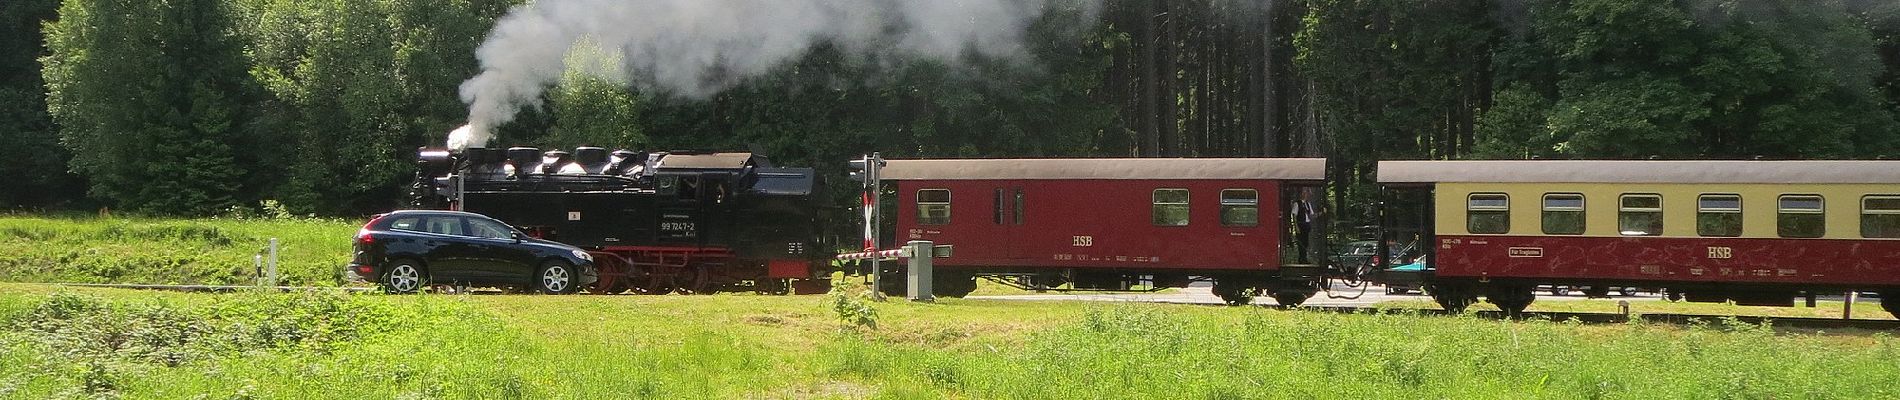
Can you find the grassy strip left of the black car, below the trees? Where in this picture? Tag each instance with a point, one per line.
(170, 251)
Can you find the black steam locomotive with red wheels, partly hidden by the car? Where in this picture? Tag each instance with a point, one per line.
(656, 223)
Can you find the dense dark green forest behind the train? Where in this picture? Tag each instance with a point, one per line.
(204, 105)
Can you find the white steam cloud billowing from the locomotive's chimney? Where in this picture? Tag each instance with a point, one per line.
(696, 48)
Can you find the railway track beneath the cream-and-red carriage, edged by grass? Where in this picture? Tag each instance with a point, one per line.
(1802, 323)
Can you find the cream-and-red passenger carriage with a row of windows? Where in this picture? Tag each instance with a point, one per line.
(1749, 232)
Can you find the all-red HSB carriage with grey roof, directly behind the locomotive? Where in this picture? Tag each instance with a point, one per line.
(1111, 225)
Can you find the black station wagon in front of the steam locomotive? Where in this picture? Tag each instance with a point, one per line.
(411, 249)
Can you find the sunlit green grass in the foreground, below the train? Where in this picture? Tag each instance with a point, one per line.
(333, 346)
